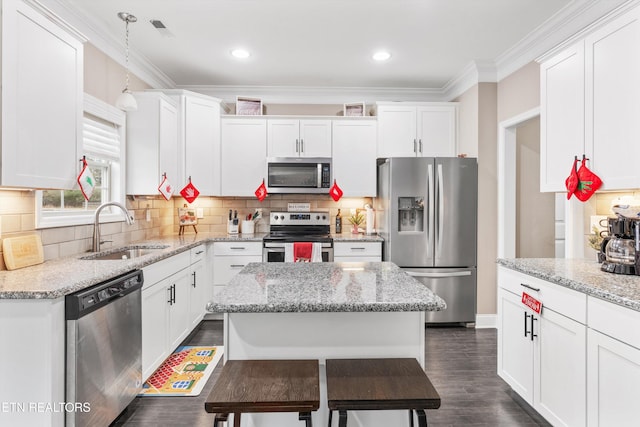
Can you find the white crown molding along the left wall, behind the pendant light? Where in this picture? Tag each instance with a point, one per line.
(100, 37)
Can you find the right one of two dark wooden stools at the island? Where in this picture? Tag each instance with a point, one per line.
(379, 384)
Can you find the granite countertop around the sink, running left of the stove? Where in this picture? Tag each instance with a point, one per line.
(62, 276)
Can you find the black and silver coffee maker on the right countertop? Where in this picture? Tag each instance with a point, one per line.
(622, 247)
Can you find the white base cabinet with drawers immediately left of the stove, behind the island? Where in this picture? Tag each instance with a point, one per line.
(231, 257)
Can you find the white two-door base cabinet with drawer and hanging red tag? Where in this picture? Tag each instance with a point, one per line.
(543, 356)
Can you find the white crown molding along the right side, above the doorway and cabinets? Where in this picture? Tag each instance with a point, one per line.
(567, 22)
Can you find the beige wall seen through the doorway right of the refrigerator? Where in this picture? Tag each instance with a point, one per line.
(535, 222)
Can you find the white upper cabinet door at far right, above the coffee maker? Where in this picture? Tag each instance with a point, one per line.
(612, 64)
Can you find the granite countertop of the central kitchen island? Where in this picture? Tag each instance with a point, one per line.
(324, 287)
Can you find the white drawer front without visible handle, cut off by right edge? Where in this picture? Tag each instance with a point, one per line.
(616, 321)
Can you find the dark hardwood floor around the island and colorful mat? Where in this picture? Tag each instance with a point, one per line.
(461, 363)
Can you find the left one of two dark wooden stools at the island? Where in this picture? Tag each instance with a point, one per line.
(246, 386)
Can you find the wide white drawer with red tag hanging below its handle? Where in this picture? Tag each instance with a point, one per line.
(570, 303)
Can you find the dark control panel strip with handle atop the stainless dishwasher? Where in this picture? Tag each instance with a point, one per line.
(81, 303)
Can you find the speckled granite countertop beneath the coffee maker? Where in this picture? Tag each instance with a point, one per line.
(583, 276)
